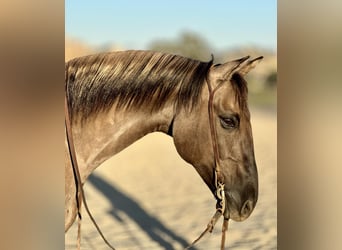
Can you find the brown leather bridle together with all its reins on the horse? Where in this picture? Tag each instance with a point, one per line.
(221, 208)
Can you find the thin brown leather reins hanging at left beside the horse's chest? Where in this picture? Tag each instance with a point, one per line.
(79, 188)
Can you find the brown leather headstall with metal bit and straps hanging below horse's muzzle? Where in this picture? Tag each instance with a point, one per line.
(218, 180)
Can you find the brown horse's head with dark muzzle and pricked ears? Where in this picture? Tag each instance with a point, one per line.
(227, 130)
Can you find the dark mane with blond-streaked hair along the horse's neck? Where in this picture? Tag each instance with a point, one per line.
(131, 79)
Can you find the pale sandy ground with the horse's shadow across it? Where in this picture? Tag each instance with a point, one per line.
(147, 197)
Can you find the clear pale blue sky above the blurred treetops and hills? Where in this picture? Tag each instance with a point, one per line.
(135, 24)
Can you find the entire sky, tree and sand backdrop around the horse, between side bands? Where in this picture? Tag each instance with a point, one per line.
(147, 197)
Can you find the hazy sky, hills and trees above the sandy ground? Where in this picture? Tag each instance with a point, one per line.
(196, 29)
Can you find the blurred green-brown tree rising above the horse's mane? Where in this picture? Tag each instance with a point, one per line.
(189, 44)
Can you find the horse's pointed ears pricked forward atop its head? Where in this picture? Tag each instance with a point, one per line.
(241, 66)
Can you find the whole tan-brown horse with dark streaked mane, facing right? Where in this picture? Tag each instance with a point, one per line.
(116, 98)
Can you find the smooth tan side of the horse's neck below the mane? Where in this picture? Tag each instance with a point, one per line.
(103, 136)
